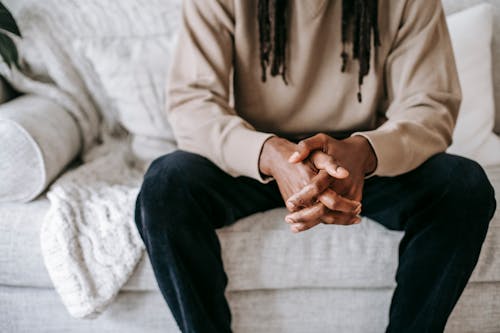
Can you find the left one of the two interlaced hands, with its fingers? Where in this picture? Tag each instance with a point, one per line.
(292, 178)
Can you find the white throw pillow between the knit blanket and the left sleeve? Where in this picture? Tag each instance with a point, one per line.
(132, 72)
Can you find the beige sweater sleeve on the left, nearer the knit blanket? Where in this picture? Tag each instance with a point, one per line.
(198, 91)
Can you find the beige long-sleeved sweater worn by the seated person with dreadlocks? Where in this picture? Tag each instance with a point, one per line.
(410, 97)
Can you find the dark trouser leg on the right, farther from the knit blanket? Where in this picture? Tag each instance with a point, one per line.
(444, 207)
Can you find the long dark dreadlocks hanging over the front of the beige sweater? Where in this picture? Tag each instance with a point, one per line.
(359, 22)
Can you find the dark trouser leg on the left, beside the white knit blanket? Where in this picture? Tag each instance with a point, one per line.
(183, 199)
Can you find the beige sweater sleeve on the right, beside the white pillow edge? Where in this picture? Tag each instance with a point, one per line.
(423, 90)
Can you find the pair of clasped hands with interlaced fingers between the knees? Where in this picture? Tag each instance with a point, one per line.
(320, 179)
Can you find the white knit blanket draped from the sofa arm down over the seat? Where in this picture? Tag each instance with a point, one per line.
(89, 240)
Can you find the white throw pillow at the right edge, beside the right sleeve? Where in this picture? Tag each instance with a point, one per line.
(471, 33)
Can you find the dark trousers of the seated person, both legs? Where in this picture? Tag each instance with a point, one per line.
(444, 207)
